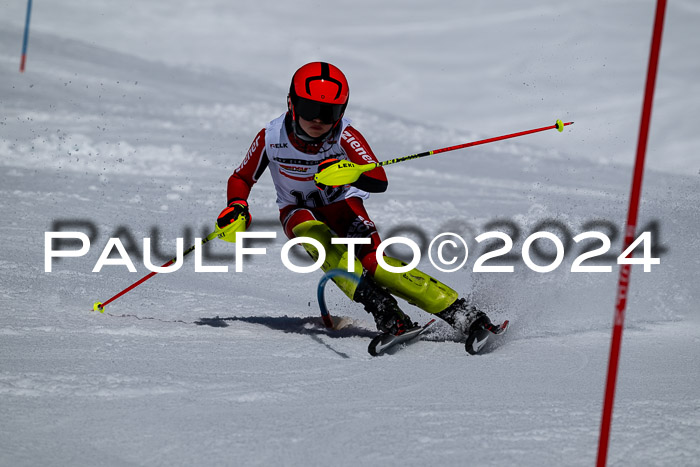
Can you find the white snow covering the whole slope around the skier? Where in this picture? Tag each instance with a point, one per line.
(132, 115)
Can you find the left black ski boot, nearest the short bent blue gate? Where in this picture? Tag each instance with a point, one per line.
(383, 306)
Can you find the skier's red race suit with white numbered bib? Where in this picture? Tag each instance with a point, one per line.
(298, 197)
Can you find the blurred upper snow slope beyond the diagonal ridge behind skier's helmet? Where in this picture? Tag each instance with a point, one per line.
(480, 65)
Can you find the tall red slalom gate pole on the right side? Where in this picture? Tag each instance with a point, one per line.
(624, 278)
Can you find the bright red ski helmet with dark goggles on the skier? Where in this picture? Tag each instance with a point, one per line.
(318, 90)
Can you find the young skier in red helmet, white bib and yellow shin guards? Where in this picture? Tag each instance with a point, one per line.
(310, 137)
